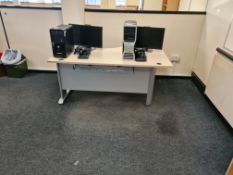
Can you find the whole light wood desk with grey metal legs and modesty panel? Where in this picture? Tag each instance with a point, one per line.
(107, 71)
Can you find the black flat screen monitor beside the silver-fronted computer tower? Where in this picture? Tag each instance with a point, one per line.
(150, 38)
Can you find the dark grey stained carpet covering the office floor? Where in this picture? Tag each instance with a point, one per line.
(107, 133)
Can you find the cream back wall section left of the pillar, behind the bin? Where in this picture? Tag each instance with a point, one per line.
(28, 31)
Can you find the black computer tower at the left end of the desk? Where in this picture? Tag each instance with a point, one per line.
(62, 42)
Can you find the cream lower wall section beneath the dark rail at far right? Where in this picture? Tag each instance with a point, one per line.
(219, 86)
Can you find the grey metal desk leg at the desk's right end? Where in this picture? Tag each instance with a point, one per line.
(150, 91)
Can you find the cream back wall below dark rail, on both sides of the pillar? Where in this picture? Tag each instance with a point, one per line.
(32, 37)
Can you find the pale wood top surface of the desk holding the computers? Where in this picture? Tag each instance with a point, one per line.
(113, 57)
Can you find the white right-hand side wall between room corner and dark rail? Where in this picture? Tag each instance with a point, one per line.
(218, 19)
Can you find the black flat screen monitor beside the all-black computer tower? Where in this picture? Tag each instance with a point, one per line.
(85, 35)
